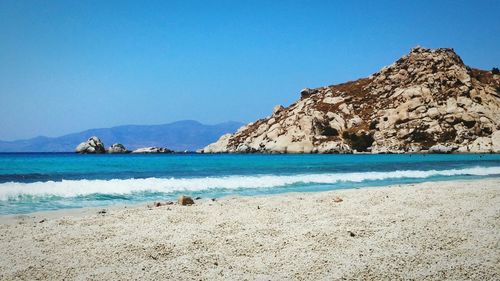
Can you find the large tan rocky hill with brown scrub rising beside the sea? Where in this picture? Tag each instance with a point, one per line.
(427, 101)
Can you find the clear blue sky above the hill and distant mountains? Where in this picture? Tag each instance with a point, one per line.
(66, 66)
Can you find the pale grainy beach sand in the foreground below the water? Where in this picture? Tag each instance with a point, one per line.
(435, 231)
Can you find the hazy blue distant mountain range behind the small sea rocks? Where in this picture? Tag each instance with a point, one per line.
(179, 136)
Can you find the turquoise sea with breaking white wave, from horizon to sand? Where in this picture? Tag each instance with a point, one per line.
(34, 182)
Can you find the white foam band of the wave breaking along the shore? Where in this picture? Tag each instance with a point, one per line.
(72, 188)
